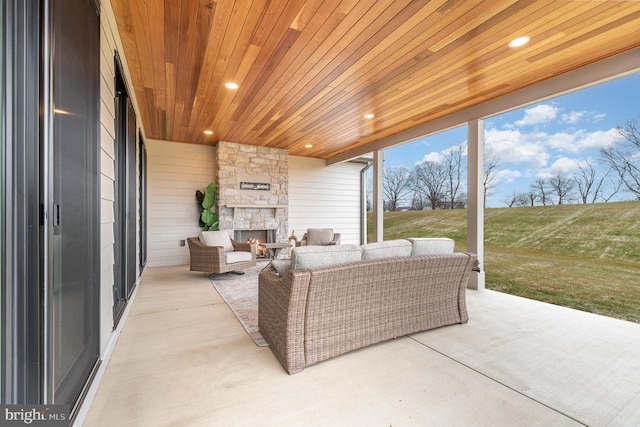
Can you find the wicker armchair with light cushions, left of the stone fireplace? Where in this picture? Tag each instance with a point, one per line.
(220, 259)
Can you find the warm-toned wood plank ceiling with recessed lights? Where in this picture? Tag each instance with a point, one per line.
(309, 70)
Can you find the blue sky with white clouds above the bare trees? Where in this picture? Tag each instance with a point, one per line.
(534, 142)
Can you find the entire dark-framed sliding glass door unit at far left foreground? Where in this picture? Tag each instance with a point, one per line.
(49, 199)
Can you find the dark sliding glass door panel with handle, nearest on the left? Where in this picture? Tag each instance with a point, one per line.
(73, 174)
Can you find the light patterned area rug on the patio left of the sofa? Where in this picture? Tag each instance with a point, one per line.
(241, 295)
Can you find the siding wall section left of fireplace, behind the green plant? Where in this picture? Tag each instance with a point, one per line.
(174, 173)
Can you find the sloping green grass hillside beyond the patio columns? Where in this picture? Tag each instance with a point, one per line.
(585, 257)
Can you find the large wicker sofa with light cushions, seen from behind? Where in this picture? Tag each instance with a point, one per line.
(336, 299)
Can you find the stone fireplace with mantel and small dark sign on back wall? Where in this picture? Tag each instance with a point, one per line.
(253, 193)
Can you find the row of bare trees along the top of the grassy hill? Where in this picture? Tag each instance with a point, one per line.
(437, 184)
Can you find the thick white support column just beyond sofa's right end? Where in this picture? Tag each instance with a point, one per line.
(475, 201)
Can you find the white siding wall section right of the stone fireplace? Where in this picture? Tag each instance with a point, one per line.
(324, 196)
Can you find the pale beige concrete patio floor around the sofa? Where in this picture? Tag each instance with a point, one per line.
(183, 359)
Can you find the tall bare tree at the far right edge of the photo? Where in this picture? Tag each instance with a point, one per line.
(625, 157)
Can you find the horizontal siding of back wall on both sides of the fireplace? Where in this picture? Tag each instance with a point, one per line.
(319, 196)
